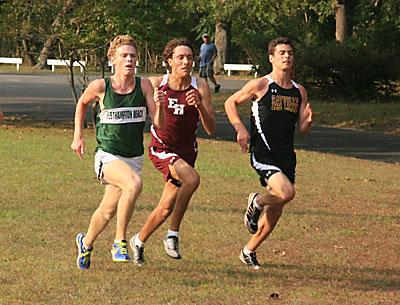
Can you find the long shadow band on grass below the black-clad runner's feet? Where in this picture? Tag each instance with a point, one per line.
(355, 278)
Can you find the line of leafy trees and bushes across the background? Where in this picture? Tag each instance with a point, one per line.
(347, 47)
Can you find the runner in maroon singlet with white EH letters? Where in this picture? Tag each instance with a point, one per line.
(173, 150)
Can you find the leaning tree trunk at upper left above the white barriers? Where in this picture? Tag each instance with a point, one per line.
(44, 53)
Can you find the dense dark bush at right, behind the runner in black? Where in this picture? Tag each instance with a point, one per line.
(349, 69)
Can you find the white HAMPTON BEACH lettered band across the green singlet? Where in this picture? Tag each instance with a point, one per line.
(123, 115)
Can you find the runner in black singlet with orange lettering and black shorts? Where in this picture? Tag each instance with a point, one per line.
(279, 104)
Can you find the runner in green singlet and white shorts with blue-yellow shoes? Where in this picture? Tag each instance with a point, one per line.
(123, 101)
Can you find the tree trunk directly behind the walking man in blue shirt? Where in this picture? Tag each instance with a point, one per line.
(222, 44)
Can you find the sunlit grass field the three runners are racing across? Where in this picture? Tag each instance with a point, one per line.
(336, 243)
